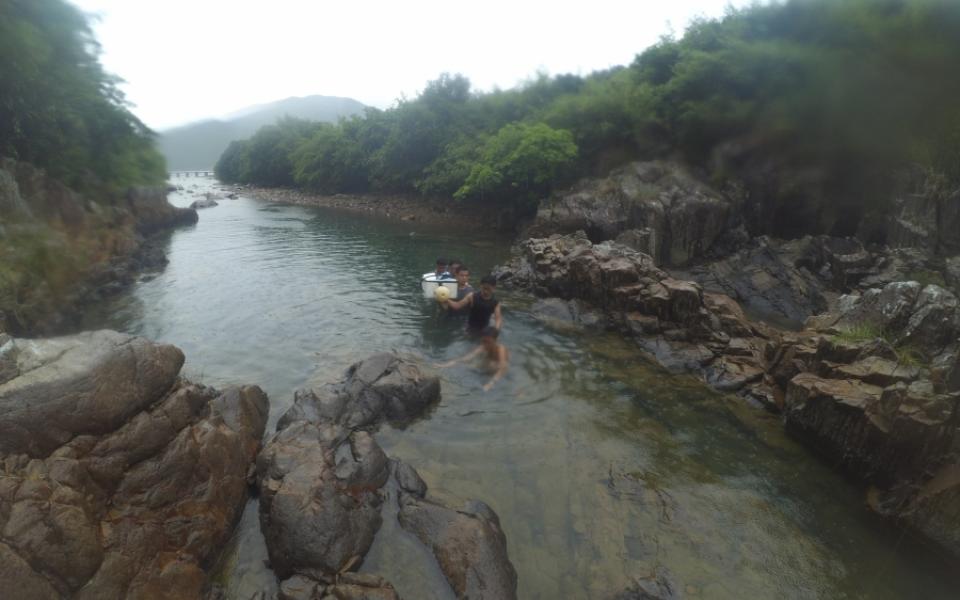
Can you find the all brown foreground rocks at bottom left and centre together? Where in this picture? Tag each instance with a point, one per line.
(118, 478)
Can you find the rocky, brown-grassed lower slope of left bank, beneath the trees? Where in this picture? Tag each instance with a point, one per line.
(58, 248)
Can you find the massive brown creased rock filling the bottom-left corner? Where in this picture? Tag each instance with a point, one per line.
(117, 478)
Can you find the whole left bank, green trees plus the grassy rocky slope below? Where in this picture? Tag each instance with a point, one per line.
(70, 154)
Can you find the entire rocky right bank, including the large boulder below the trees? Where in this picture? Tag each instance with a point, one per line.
(858, 348)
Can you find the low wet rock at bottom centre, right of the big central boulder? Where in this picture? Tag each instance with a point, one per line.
(469, 545)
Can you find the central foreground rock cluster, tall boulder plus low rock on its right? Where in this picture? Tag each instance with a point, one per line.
(322, 479)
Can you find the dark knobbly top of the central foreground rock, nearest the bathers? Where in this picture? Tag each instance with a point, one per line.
(384, 387)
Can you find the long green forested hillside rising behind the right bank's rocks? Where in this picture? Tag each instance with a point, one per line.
(818, 107)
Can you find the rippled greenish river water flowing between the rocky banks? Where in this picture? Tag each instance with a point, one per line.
(602, 467)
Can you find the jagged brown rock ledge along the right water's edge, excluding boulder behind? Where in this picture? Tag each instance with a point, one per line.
(873, 387)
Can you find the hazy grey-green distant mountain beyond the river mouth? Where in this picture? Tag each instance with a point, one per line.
(199, 145)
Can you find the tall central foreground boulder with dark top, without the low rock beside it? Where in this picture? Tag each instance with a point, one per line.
(321, 474)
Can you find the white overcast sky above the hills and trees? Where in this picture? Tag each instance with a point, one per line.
(185, 60)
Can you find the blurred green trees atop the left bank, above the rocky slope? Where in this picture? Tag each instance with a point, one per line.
(59, 110)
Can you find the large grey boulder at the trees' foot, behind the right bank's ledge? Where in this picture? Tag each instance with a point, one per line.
(657, 207)
